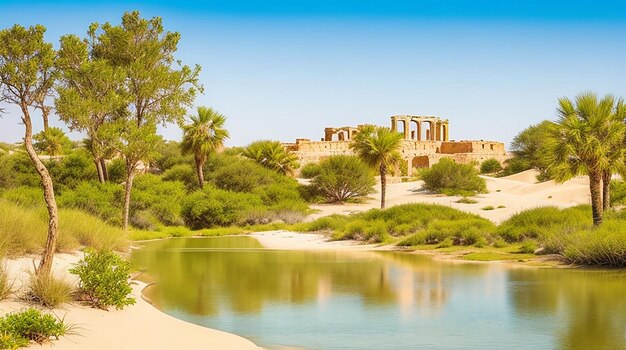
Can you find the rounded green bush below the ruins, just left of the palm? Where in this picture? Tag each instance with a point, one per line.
(342, 178)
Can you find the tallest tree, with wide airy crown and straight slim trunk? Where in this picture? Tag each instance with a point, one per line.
(158, 87)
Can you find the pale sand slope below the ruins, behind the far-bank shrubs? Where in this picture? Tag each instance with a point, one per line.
(516, 193)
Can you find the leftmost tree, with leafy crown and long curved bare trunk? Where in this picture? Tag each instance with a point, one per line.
(26, 73)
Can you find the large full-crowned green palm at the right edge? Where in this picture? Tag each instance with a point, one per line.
(587, 140)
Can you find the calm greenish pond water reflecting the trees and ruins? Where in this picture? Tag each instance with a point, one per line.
(381, 300)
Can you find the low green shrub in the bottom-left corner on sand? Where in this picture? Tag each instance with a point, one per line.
(17, 329)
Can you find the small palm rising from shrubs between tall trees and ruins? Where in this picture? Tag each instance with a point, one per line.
(205, 135)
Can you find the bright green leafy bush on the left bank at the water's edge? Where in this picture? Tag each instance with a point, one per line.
(104, 279)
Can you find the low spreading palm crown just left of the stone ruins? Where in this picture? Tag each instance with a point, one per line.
(272, 155)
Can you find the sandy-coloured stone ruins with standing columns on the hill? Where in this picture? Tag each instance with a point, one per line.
(426, 141)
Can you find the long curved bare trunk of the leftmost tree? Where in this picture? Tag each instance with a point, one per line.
(45, 265)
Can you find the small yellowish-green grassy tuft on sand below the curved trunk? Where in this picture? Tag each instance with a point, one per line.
(47, 290)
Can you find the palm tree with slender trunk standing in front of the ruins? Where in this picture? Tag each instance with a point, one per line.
(379, 148)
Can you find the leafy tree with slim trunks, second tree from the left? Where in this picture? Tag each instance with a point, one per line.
(90, 95)
